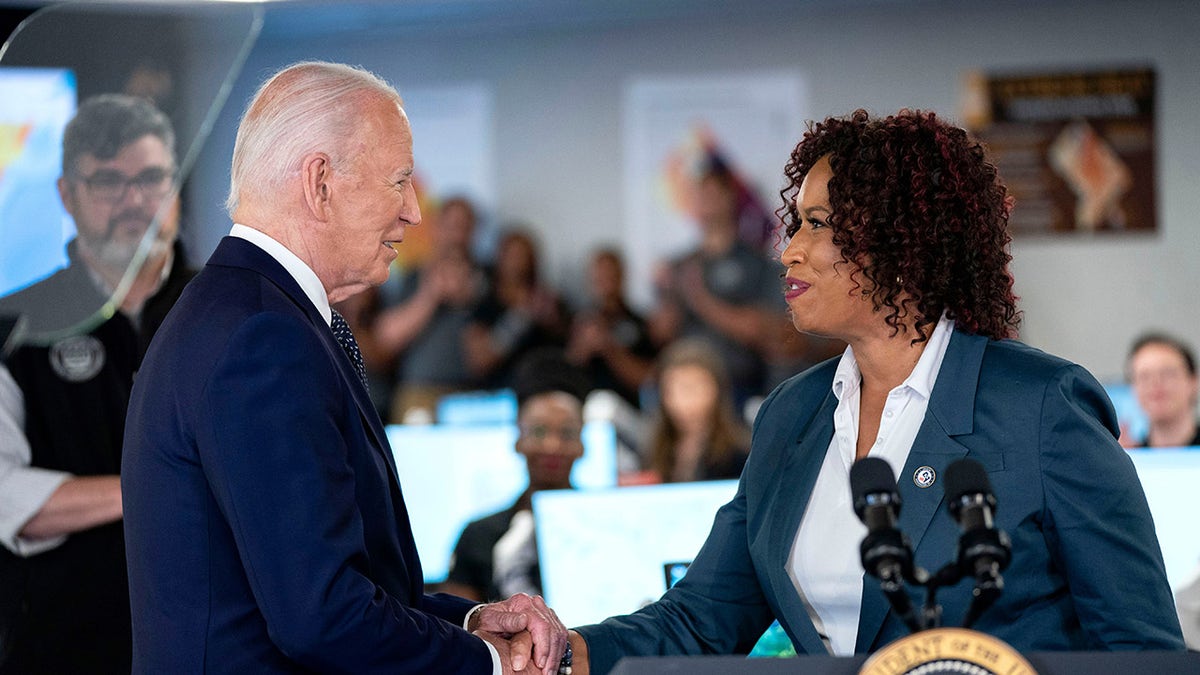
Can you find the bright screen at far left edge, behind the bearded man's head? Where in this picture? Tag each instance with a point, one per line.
(35, 107)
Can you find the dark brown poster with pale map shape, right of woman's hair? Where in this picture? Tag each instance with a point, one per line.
(1077, 150)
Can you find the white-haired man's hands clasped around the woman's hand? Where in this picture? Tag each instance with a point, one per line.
(530, 626)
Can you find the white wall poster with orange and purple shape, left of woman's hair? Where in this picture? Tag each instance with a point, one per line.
(674, 129)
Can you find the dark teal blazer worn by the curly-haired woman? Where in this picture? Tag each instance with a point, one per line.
(1087, 572)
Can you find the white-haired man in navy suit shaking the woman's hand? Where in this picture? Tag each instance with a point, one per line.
(265, 521)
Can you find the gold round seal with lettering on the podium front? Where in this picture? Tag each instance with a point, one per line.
(947, 650)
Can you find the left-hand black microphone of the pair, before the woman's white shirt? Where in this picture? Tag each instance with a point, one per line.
(886, 552)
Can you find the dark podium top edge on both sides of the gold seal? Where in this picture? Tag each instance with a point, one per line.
(1046, 664)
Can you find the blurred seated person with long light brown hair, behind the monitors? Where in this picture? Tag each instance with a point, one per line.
(695, 434)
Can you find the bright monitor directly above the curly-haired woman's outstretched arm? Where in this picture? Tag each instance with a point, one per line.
(605, 553)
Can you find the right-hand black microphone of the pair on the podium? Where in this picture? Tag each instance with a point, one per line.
(985, 552)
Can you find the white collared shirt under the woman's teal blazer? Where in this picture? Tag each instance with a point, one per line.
(825, 563)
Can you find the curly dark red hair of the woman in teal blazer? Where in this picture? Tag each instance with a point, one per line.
(921, 211)
